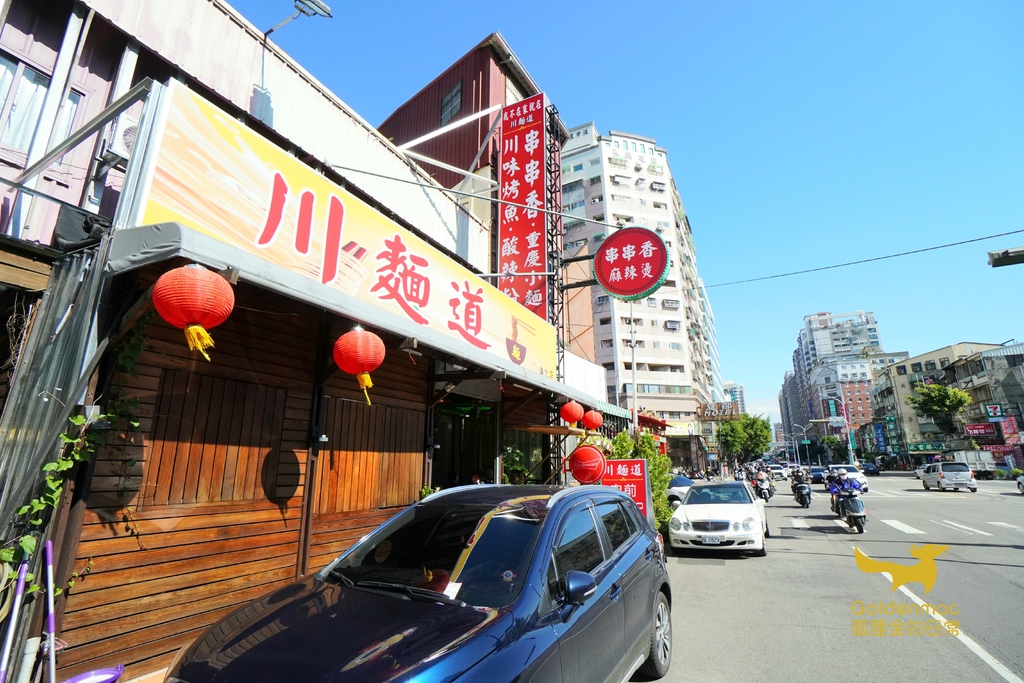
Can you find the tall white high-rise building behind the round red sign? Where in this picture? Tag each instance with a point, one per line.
(667, 340)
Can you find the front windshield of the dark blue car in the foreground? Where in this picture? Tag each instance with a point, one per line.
(478, 554)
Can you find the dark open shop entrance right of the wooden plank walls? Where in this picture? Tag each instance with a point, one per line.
(465, 433)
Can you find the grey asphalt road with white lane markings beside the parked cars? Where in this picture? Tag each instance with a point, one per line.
(801, 613)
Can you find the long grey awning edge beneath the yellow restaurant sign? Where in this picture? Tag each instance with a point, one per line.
(134, 248)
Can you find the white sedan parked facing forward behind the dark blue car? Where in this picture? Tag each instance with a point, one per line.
(726, 517)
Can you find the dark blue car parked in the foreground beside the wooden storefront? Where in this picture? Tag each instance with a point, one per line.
(472, 584)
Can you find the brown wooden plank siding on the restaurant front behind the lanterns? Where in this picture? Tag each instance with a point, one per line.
(201, 510)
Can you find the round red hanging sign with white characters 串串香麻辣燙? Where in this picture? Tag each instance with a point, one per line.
(631, 264)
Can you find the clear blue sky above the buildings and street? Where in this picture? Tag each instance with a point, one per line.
(801, 135)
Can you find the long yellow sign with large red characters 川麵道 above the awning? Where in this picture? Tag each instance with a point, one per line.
(215, 176)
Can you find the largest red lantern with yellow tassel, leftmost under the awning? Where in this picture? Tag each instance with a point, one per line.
(195, 301)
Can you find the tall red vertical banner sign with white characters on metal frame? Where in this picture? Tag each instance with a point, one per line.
(523, 182)
